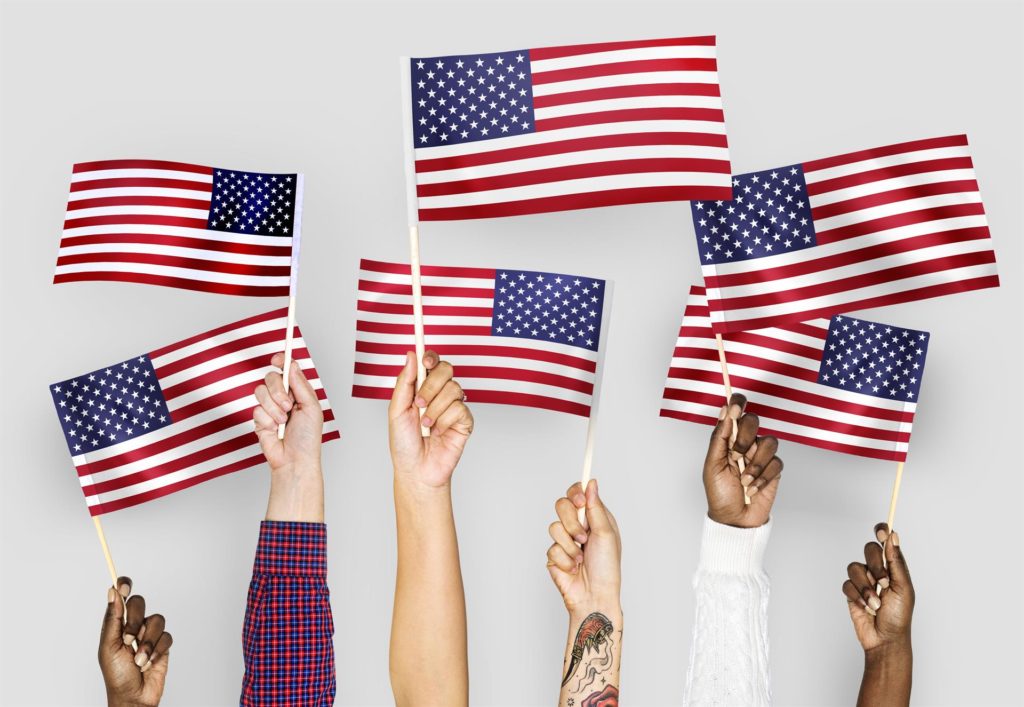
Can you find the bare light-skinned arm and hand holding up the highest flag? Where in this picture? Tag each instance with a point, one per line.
(429, 630)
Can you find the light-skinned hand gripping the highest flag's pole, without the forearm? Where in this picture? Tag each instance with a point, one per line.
(429, 462)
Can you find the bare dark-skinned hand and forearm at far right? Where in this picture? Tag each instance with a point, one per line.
(881, 598)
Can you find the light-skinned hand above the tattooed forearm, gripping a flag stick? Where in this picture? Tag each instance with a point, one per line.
(588, 574)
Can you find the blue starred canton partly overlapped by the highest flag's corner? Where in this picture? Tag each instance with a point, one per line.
(770, 215)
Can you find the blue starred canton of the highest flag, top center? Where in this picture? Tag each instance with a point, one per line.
(474, 98)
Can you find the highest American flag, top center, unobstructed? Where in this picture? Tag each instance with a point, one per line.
(572, 128)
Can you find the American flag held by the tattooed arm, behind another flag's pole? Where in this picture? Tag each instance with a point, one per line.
(518, 338)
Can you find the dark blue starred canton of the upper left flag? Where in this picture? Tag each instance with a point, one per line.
(252, 203)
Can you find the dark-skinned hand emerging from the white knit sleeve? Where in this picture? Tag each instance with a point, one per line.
(726, 485)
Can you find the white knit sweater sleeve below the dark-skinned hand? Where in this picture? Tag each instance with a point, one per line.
(730, 654)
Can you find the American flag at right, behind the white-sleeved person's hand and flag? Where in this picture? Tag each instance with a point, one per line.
(844, 385)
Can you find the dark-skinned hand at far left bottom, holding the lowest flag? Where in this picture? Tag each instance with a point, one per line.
(133, 677)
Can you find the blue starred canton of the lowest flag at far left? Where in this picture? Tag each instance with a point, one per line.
(111, 406)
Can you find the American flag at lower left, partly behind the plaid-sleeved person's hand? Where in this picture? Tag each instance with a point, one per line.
(156, 424)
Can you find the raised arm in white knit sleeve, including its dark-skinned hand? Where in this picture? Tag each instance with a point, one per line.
(730, 653)
